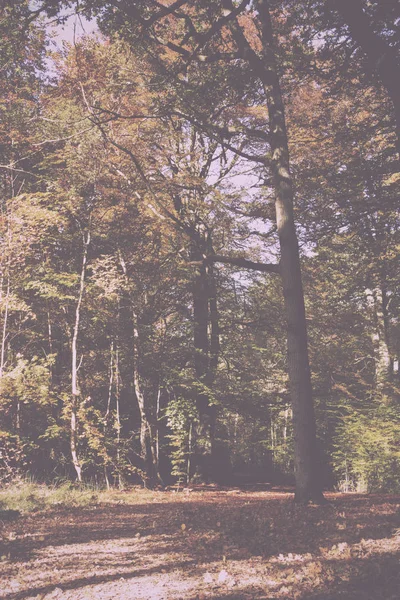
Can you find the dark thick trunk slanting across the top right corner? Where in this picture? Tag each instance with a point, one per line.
(383, 58)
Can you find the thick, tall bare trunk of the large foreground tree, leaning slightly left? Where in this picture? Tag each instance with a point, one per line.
(308, 486)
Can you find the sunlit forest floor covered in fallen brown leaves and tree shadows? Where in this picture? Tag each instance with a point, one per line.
(206, 543)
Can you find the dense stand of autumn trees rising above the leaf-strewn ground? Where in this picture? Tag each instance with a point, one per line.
(199, 230)
